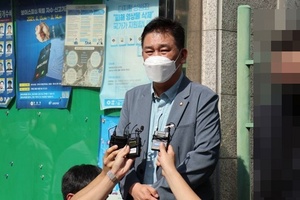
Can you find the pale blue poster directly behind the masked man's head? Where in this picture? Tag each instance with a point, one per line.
(123, 63)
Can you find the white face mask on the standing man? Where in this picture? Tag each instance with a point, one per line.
(159, 69)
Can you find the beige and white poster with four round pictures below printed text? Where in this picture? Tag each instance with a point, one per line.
(84, 45)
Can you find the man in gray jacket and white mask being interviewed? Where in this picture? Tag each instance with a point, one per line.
(170, 104)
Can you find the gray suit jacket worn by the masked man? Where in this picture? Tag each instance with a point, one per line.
(195, 138)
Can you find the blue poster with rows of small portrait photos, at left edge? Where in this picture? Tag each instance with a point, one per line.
(7, 59)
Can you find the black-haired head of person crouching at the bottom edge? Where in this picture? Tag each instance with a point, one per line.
(77, 177)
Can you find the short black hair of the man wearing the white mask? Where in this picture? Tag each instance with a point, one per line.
(166, 26)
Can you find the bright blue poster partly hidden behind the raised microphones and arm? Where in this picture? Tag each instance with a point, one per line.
(107, 126)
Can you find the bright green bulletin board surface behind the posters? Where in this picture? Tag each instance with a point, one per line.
(38, 145)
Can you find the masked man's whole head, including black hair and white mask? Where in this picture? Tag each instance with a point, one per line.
(163, 40)
